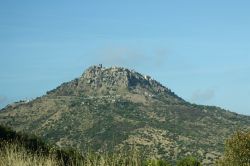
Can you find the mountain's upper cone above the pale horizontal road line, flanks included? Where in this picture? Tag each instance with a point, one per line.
(98, 80)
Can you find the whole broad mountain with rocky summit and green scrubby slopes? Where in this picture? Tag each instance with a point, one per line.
(107, 109)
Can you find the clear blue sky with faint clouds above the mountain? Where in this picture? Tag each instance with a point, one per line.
(198, 49)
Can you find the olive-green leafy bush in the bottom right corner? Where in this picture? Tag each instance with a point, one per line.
(237, 150)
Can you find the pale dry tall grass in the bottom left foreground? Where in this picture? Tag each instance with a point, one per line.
(17, 155)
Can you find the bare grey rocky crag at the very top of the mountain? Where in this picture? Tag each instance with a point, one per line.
(118, 76)
